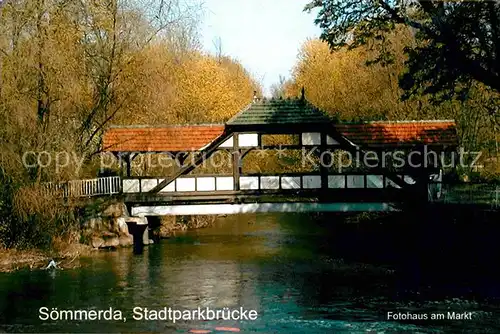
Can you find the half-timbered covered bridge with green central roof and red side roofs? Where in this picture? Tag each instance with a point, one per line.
(370, 180)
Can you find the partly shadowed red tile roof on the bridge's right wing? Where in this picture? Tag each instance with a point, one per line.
(406, 133)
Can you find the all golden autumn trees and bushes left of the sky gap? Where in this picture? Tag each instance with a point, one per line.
(71, 69)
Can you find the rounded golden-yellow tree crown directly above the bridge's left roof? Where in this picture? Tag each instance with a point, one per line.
(192, 87)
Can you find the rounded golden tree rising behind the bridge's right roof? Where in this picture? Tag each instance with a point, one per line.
(341, 84)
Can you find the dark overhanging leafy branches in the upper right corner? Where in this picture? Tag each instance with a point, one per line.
(457, 42)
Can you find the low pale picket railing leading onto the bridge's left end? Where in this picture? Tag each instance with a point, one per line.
(85, 188)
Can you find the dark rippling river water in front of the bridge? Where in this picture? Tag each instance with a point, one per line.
(282, 266)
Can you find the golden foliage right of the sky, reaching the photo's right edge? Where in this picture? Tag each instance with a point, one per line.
(351, 86)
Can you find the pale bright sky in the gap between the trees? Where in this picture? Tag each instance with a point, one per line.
(264, 35)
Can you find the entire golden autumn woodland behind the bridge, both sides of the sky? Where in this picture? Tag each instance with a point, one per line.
(70, 69)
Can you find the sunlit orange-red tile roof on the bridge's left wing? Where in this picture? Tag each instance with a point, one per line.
(160, 139)
